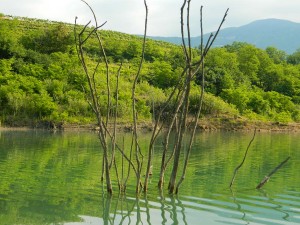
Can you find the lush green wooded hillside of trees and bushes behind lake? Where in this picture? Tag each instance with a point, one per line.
(42, 81)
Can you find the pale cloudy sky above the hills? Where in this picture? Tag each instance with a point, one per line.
(164, 15)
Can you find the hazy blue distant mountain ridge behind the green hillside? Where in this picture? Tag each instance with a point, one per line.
(282, 34)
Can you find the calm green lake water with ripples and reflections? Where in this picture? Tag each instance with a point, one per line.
(54, 178)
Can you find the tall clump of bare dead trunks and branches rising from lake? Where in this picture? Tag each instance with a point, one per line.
(178, 99)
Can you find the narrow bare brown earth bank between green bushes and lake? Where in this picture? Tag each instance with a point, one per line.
(204, 124)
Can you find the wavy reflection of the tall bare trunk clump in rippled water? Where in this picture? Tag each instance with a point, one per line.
(128, 210)
